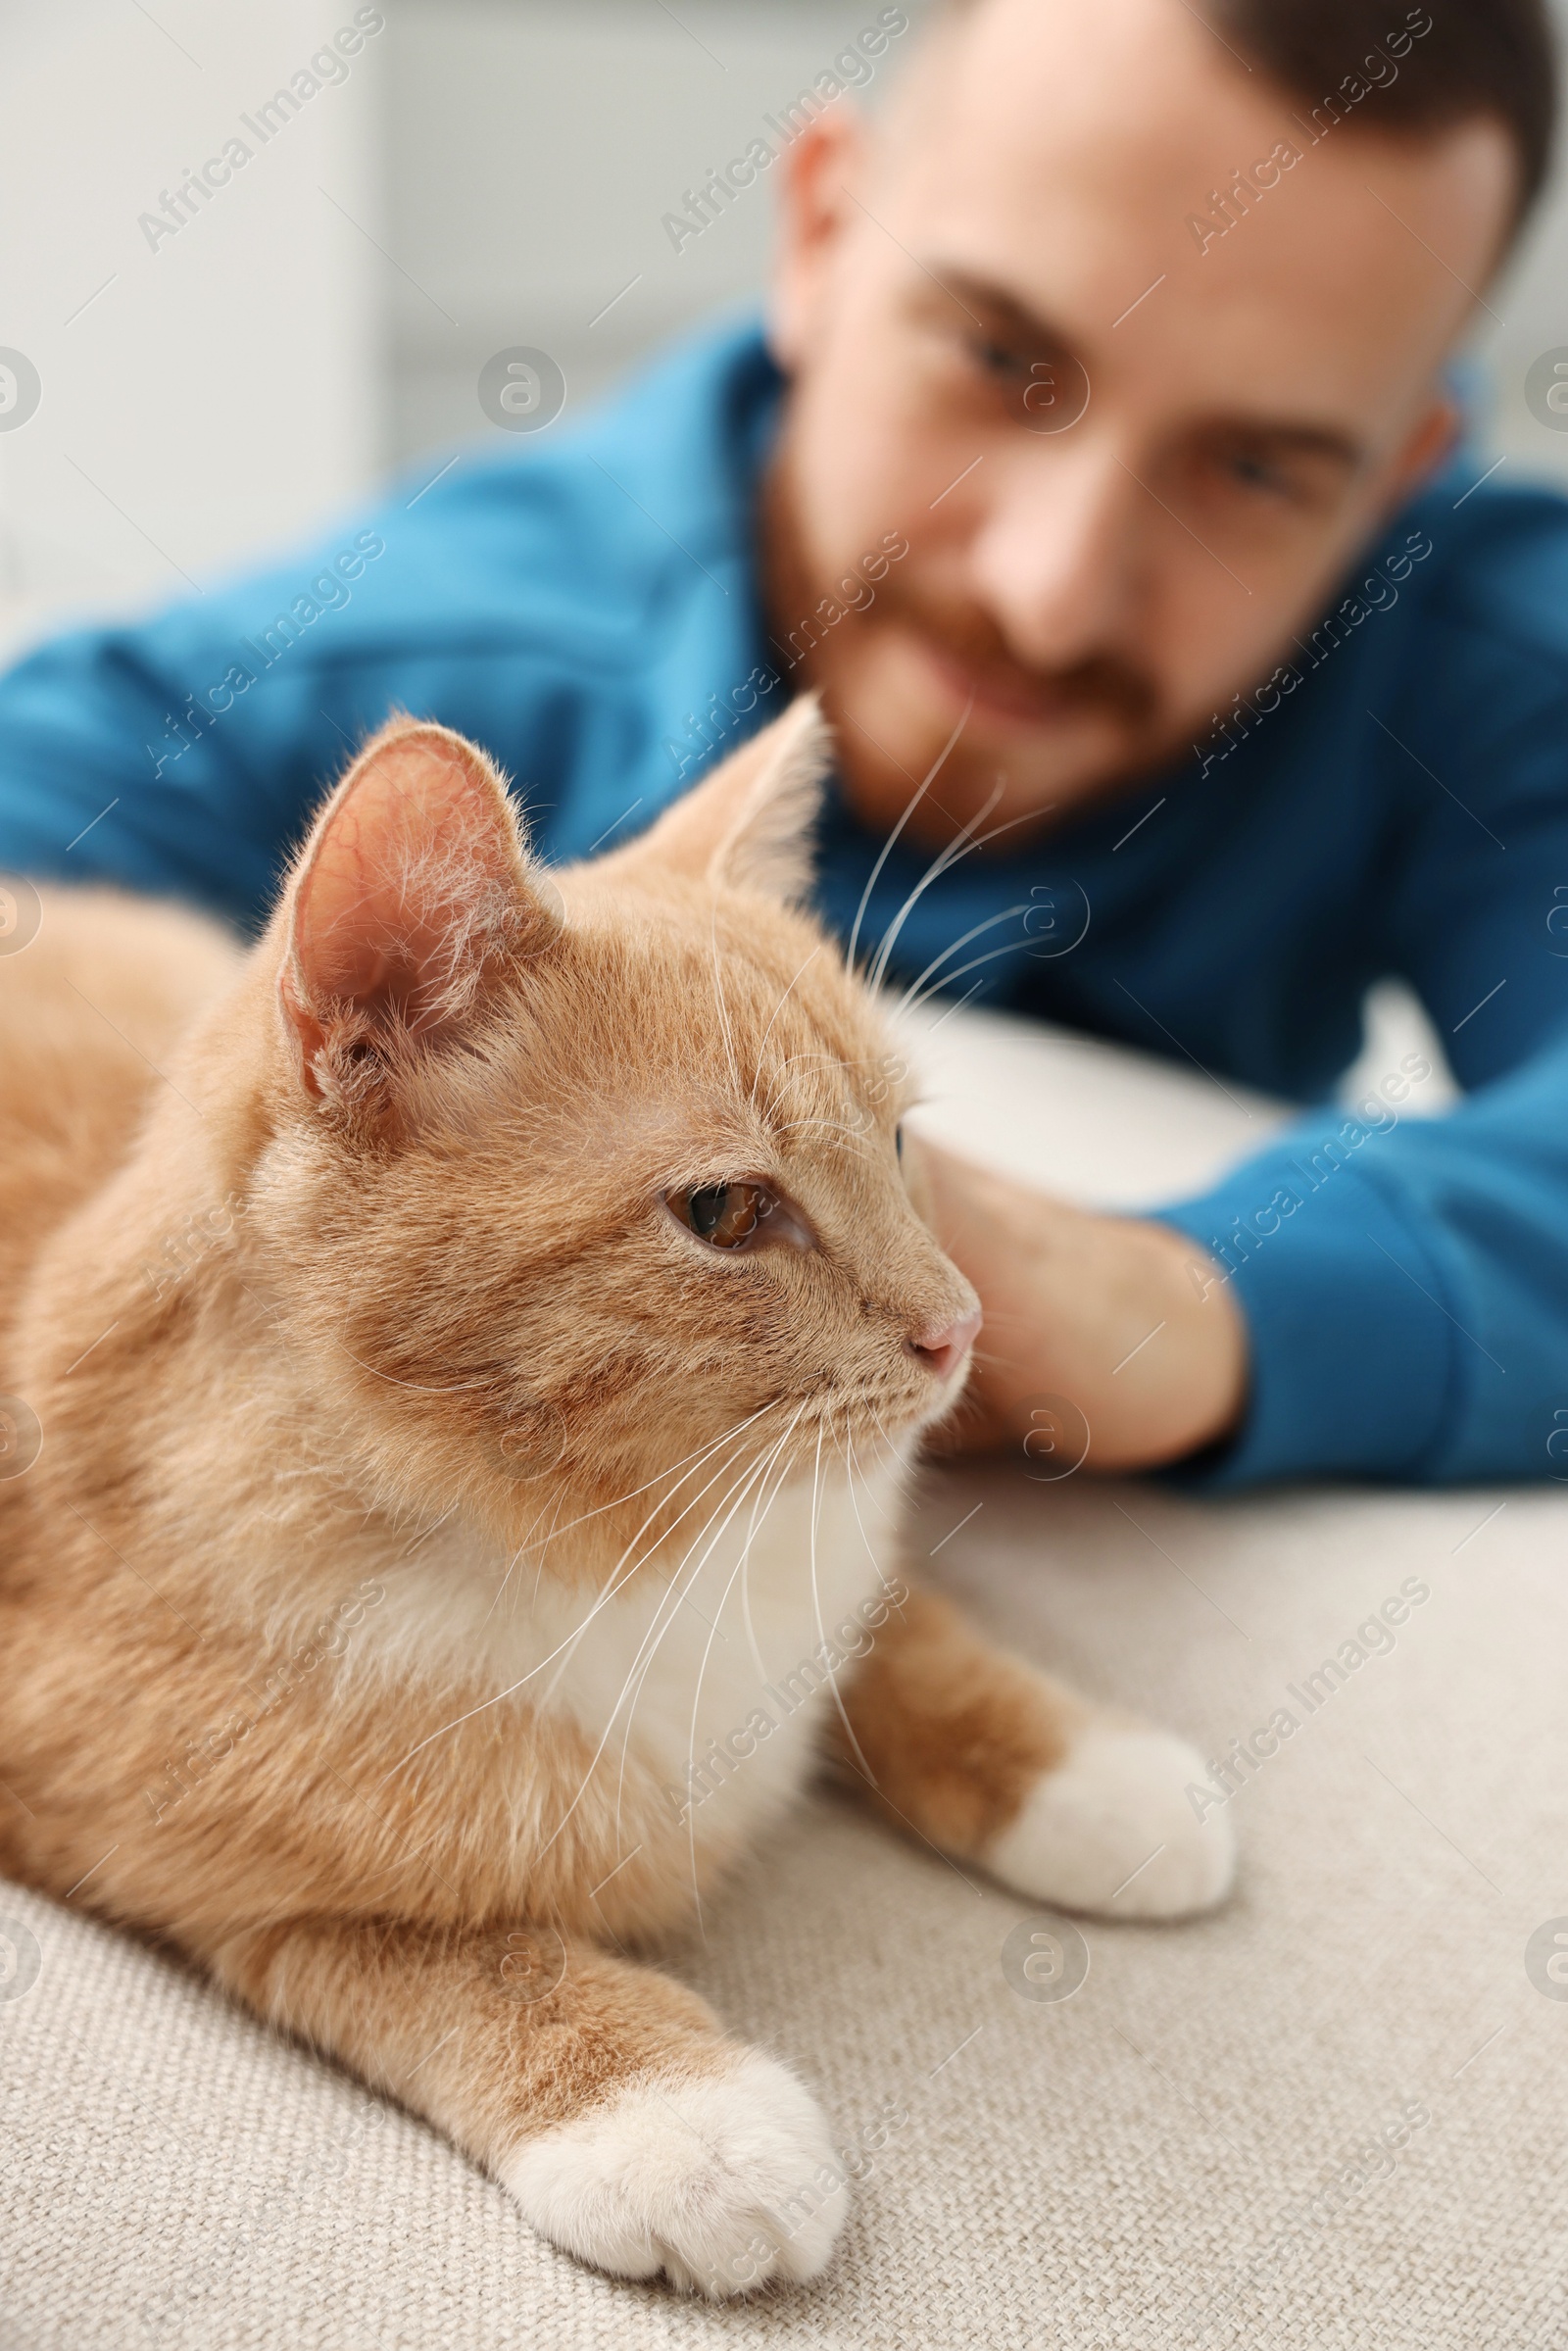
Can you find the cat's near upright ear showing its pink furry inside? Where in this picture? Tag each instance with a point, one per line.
(410, 895)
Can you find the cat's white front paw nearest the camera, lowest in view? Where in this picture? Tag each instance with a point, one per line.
(721, 2181)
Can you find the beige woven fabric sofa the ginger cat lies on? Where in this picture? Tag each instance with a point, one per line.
(1334, 2115)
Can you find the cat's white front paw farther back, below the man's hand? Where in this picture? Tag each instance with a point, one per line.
(1111, 1830)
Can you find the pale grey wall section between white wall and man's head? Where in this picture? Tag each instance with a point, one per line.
(535, 156)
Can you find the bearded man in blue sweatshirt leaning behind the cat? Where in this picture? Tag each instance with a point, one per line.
(1094, 474)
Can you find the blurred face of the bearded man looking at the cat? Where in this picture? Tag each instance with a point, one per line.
(1014, 241)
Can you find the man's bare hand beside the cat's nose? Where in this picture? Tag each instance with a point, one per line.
(1115, 1315)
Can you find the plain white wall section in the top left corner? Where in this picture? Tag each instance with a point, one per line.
(215, 391)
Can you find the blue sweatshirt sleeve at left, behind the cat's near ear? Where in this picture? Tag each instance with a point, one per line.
(558, 603)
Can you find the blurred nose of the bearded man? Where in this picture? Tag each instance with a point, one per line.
(1057, 554)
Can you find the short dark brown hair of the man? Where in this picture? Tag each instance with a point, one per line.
(1456, 60)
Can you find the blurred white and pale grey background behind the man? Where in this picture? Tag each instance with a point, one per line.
(488, 173)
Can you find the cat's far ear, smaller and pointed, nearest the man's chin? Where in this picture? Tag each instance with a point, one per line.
(751, 822)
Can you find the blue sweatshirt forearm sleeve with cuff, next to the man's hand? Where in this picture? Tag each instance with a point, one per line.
(1405, 1285)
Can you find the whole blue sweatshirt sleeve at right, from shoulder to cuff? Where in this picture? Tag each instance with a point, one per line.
(1405, 1280)
